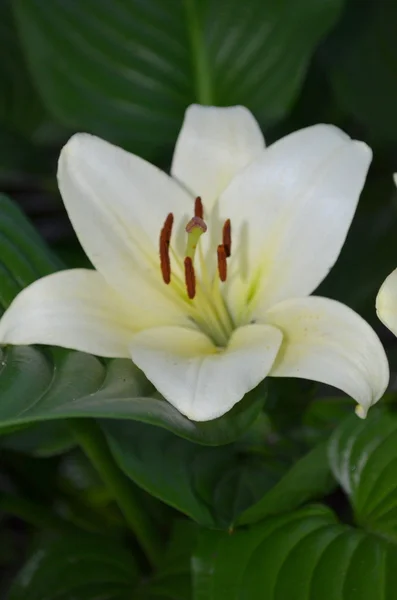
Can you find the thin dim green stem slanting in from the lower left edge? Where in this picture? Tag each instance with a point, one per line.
(35, 514)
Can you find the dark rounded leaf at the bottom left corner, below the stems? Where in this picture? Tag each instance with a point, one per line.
(82, 567)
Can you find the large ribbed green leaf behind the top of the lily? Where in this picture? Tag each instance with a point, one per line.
(127, 70)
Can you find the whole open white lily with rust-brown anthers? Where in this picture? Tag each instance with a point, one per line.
(210, 295)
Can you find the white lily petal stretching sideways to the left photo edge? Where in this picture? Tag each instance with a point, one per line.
(72, 309)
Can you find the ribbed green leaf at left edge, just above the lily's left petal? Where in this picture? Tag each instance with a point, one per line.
(24, 256)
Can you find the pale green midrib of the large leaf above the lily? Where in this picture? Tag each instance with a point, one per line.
(199, 52)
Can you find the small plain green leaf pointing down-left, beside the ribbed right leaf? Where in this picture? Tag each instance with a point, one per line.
(309, 478)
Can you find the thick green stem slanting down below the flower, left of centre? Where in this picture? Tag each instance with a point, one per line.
(93, 442)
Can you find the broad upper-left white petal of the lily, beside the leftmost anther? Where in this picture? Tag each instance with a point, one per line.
(117, 204)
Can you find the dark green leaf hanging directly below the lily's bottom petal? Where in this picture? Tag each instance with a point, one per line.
(211, 485)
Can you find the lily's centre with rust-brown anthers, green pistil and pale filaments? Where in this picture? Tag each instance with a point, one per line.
(205, 301)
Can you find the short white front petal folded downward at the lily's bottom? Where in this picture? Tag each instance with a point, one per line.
(201, 381)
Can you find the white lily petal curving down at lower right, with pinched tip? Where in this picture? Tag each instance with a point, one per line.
(326, 341)
